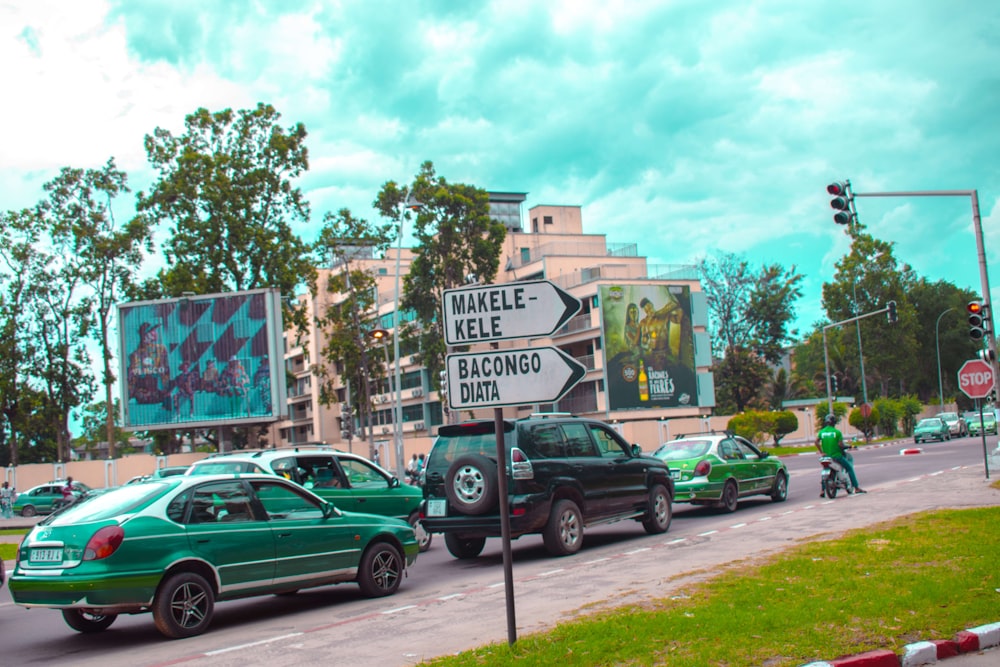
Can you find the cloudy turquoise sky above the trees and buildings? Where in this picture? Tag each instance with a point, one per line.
(690, 128)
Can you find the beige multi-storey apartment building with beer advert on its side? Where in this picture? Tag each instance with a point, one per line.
(625, 382)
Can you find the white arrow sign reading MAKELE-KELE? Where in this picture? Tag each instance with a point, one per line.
(510, 310)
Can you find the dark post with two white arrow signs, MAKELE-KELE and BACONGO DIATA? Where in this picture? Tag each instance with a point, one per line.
(487, 313)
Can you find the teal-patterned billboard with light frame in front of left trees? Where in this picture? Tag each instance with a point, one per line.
(201, 361)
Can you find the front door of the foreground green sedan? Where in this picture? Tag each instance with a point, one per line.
(308, 547)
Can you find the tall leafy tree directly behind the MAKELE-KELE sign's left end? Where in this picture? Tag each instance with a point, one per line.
(457, 241)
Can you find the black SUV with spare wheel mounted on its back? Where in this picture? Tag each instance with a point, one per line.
(563, 474)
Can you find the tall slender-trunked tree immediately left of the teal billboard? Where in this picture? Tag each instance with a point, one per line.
(103, 255)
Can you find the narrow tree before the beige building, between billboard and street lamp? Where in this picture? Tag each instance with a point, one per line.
(347, 320)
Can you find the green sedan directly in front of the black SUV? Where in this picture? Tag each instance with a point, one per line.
(720, 469)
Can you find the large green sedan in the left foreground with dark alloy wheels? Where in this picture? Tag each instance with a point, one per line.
(177, 546)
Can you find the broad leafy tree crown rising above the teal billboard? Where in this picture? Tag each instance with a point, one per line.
(226, 186)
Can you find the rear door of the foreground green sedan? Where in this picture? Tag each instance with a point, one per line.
(223, 531)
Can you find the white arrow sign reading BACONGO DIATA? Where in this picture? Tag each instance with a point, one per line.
(510, 377)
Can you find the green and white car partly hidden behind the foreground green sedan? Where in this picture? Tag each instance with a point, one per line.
(349, 481)
